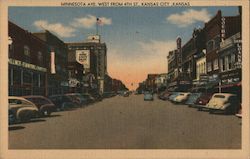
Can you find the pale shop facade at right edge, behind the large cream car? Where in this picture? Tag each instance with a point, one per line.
(230, 57)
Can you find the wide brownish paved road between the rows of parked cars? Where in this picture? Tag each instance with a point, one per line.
(129, 123)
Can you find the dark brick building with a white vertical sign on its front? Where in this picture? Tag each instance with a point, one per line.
(57, 70)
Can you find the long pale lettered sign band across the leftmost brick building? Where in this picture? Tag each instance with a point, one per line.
(26, 65)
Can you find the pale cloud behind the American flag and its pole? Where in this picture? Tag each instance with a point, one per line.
(89, 21)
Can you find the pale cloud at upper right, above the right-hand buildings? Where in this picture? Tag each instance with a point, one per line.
(189, 17)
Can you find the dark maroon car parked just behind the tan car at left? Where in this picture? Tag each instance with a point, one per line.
(44, 105)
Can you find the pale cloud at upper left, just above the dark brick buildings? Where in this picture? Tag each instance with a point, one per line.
(57, 28)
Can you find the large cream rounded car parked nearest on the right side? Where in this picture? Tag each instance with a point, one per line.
(224, 102)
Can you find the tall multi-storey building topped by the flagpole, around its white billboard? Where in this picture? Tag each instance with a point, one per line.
(96, 67)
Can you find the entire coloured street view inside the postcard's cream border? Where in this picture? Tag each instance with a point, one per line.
(125, 78)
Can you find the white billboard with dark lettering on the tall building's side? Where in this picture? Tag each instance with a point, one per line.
(83, 57)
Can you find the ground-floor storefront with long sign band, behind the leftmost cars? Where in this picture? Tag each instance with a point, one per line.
(26, 79)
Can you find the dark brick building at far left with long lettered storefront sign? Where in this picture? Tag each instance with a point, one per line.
(28, 63)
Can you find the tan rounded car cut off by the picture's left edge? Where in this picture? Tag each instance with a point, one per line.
(21, 109)
